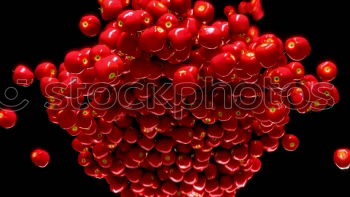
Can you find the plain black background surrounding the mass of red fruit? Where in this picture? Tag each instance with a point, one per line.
(31, 31)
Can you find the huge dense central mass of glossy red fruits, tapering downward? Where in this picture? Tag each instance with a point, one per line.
(170, 102)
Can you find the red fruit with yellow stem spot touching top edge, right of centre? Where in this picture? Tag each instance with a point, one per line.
(203, 11)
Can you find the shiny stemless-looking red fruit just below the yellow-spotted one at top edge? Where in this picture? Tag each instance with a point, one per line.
(209, 37)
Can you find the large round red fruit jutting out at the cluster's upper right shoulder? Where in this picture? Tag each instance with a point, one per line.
(297, 48)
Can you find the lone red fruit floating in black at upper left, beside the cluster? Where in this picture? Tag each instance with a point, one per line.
(90, 25)
